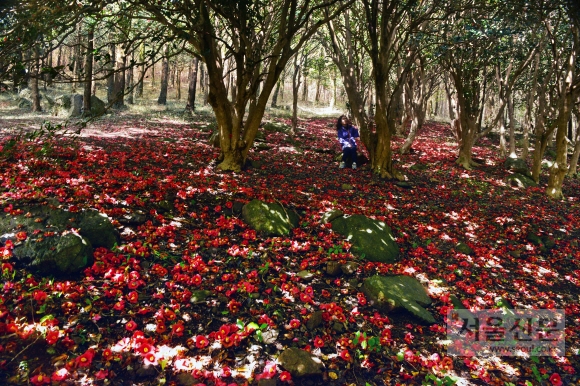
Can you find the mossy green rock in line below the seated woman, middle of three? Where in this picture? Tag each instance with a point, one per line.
(370, 238)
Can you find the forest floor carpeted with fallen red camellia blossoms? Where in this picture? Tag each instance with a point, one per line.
(128, 318)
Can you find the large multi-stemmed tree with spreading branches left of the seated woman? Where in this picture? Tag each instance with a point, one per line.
(260, 36)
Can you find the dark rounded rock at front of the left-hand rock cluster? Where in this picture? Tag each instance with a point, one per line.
(64, 255)
